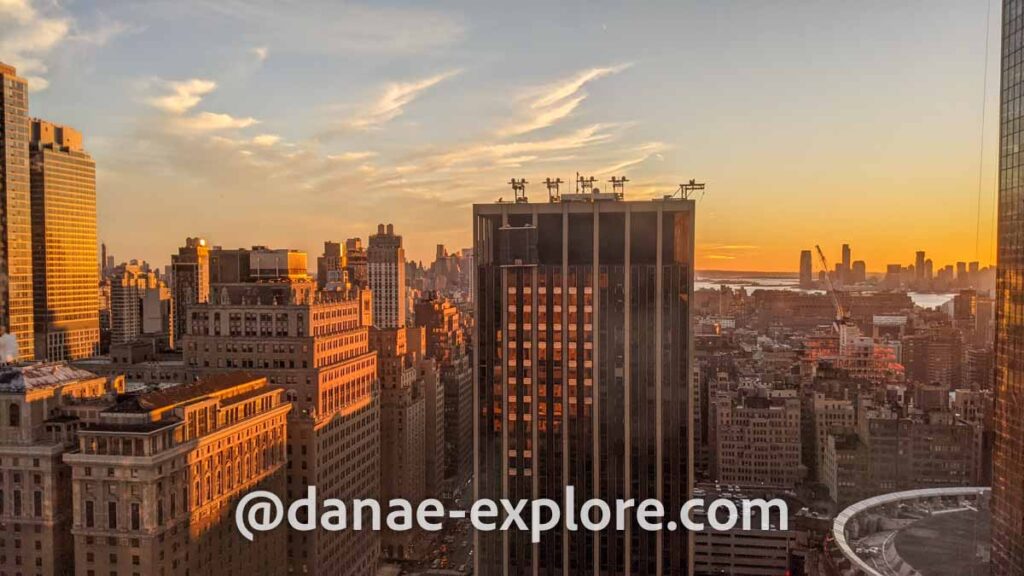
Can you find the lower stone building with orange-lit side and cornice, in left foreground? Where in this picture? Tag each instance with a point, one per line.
(157, 477)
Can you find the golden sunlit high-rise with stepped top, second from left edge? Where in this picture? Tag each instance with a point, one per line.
(64, 240)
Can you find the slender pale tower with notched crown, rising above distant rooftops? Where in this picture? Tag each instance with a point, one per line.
(387, 268)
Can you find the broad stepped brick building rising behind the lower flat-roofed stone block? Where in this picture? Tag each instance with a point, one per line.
(317, 347)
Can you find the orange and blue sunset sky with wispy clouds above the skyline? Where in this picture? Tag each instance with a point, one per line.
(289, 124)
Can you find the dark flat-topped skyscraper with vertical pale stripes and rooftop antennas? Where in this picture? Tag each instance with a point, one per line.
(583, 354)
